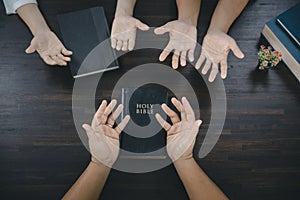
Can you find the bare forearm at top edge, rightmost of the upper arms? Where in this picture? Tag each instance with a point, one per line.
(225, 14)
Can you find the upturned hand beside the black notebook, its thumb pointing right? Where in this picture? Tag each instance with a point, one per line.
(123, 32)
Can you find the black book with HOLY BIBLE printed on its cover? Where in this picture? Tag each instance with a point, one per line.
(143, 136)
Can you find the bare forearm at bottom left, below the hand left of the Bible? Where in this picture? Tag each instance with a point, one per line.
(90, 183)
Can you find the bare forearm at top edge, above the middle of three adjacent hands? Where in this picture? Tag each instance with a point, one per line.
(188, 11)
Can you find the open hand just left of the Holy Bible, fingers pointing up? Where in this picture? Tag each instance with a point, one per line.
(103, 138)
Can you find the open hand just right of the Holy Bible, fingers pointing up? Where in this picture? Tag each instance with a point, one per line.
(181, 135)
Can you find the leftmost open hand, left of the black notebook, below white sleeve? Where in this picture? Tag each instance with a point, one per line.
(50, 48)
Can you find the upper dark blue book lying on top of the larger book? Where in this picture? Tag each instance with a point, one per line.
(289, 21)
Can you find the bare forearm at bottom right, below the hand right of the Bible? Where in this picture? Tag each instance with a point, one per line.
(197, 184)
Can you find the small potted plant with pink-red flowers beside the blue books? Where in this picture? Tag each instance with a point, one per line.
(268, 58)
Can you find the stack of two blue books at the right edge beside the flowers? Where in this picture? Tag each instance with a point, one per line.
(283, 33)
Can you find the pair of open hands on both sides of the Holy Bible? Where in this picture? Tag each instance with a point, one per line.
(104, 139)
